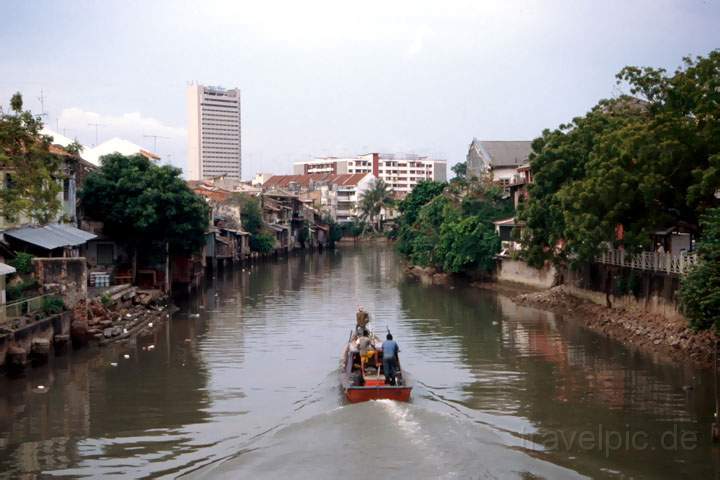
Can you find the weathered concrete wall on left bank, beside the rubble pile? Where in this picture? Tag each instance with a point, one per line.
(66, 275)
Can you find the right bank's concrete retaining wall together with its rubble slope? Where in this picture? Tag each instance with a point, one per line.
(649, 322)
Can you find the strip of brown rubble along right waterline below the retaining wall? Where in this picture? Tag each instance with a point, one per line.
(672, 338)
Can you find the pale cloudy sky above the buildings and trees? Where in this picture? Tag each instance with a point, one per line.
(334, 77)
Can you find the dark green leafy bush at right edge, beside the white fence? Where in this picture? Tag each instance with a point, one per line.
(699, 292)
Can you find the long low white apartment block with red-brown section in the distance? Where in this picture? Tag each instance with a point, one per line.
(400, 171)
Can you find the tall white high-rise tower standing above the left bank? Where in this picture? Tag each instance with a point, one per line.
(214, 132)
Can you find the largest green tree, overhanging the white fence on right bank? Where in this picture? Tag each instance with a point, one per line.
(632, 164)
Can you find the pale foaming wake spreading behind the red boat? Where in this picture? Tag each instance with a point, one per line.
(398, 440)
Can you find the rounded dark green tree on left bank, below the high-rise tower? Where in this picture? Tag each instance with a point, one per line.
(145, 205)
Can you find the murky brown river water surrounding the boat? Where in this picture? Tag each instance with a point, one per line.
(243, 382)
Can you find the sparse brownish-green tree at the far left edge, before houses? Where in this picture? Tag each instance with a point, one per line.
(33, 180)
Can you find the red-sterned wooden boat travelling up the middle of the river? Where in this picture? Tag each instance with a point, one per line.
(362, 382)
